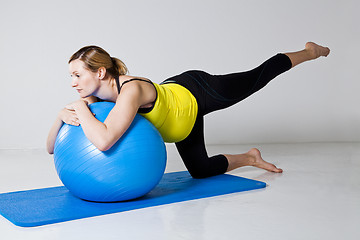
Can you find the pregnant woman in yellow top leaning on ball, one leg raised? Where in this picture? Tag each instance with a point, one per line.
(176, 107)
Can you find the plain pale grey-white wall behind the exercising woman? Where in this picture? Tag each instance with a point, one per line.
(316, 101)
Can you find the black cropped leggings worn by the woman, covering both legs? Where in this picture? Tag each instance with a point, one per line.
(215, 92)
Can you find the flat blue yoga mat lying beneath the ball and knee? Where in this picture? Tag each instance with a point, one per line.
(53, 205)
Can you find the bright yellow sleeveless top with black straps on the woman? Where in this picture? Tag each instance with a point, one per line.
(173, 112)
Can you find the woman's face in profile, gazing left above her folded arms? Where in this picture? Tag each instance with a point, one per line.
(83, 80)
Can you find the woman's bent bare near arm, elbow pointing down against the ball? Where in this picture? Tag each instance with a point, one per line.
(105, 135)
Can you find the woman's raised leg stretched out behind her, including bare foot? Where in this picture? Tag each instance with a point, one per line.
(222, 91)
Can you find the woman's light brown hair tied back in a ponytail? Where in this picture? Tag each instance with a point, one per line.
(95, 57)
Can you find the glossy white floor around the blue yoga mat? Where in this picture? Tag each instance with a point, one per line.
(317, 197)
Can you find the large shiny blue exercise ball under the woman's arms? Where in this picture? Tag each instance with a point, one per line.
(129, 169)
